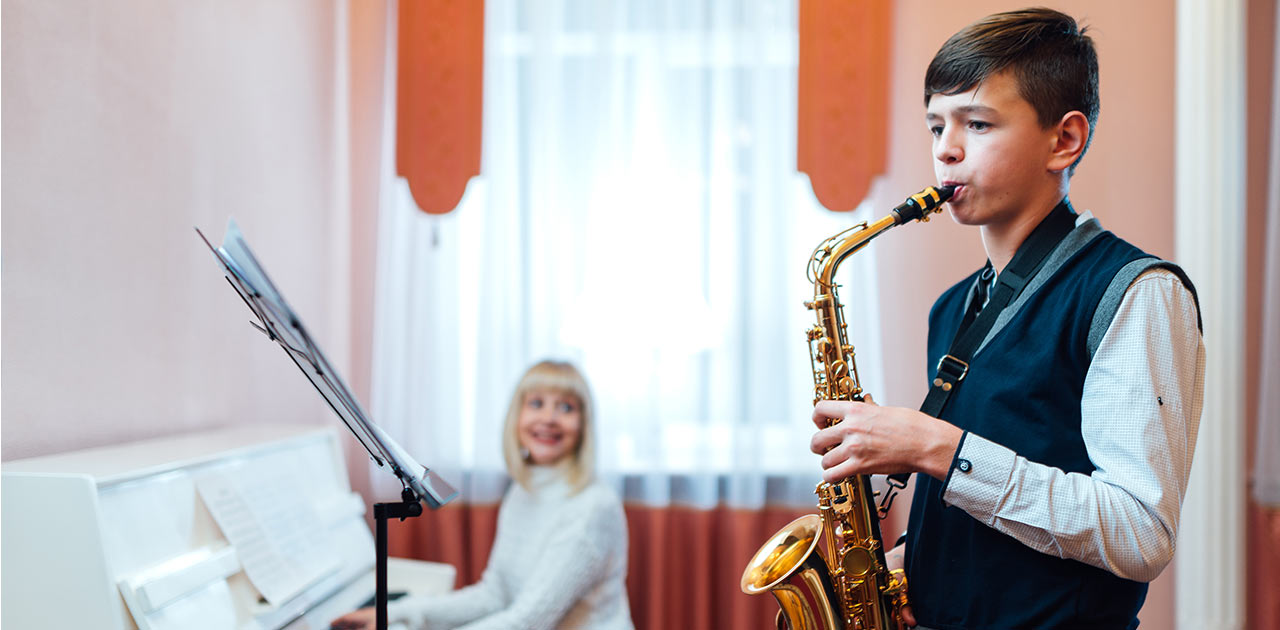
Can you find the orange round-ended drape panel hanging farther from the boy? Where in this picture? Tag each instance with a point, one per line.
(440, 99)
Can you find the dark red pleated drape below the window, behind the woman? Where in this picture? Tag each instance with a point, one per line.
(684, 564)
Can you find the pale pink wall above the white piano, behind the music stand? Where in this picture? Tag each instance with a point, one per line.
(125, 126)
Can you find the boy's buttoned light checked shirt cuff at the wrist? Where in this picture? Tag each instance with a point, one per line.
(980, 472)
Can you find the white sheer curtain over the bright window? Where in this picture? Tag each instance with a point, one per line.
(639, 213)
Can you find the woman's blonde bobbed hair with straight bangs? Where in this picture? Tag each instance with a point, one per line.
(559, 377)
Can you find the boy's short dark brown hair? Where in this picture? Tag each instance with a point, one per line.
(1050, 57)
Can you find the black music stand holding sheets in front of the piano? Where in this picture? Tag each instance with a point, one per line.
(278, 322)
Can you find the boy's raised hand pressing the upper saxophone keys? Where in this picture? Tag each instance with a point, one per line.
(868, 439)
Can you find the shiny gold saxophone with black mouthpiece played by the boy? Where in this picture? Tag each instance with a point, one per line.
(852, 588)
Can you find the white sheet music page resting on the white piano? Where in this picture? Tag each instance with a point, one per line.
(276, 532)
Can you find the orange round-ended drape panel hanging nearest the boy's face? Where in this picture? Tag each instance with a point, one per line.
(843, 107)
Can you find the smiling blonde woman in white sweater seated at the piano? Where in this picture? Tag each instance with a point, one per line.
(560, 559)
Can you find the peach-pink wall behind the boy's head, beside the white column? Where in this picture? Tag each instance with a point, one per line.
(1126, 180)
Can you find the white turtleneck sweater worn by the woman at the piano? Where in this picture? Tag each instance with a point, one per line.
(559, 561)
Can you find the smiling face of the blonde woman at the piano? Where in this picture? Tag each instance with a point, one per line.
(550, 426)
